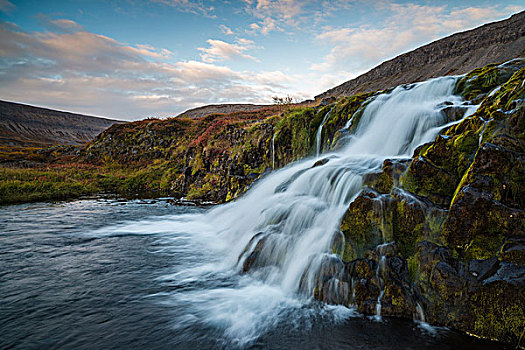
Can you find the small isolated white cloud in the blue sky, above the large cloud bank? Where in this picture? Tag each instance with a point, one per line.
(220, 50)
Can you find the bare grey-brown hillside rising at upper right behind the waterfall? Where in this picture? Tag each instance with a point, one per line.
(454, 55)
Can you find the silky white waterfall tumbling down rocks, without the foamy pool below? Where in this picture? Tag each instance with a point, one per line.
(287, 221)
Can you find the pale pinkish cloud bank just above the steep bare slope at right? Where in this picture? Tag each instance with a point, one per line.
(408, 26)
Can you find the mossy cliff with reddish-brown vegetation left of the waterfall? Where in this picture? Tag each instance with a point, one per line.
(217, 157)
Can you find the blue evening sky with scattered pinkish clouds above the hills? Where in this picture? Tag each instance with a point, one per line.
(133, 59)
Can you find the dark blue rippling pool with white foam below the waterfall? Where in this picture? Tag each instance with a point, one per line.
(126, 274)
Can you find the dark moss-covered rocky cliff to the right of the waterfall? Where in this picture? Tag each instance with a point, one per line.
(454, 217)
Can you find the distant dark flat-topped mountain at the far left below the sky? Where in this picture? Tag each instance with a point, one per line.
(24, 125)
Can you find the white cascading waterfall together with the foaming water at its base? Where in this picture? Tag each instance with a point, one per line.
(296, 211)
